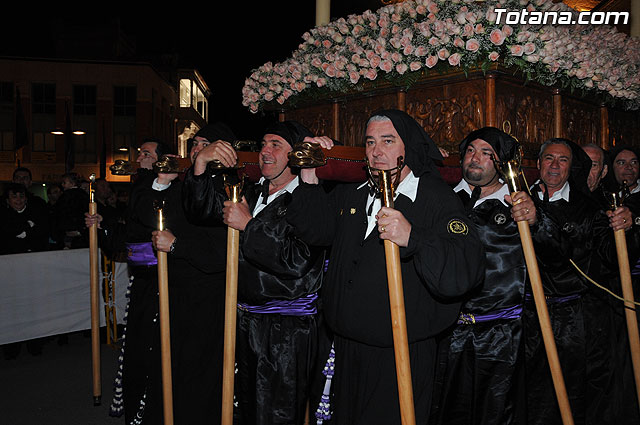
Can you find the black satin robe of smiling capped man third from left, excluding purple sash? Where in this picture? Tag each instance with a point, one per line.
(276, 354)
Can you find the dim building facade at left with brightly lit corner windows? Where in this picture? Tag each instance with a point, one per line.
(102, 109)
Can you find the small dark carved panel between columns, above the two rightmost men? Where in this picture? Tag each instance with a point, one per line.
(580, 121)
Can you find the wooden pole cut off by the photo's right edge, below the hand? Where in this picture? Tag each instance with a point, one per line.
(629, 306)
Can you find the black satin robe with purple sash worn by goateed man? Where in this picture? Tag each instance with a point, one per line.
(480, 363)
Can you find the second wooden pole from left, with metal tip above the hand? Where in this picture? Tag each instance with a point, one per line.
(165, 336)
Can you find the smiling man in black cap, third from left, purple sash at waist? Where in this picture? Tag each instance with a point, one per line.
(279, 276)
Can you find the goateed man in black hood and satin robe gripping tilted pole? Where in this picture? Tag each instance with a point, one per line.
(480, 364)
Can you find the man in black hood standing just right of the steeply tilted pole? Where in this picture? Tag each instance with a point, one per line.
(577, 241)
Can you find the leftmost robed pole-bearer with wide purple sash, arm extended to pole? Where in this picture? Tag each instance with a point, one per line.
(138, 388)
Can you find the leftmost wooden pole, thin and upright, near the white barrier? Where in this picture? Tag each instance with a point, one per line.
(94, 297)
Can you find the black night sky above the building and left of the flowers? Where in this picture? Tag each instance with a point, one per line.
(224, 46)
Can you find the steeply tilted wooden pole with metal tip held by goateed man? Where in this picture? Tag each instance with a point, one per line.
(541, 304)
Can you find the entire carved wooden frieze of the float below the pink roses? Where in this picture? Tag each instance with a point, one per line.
(449, 108)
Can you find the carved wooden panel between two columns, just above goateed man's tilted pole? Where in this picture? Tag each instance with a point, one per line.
(528, 110)
